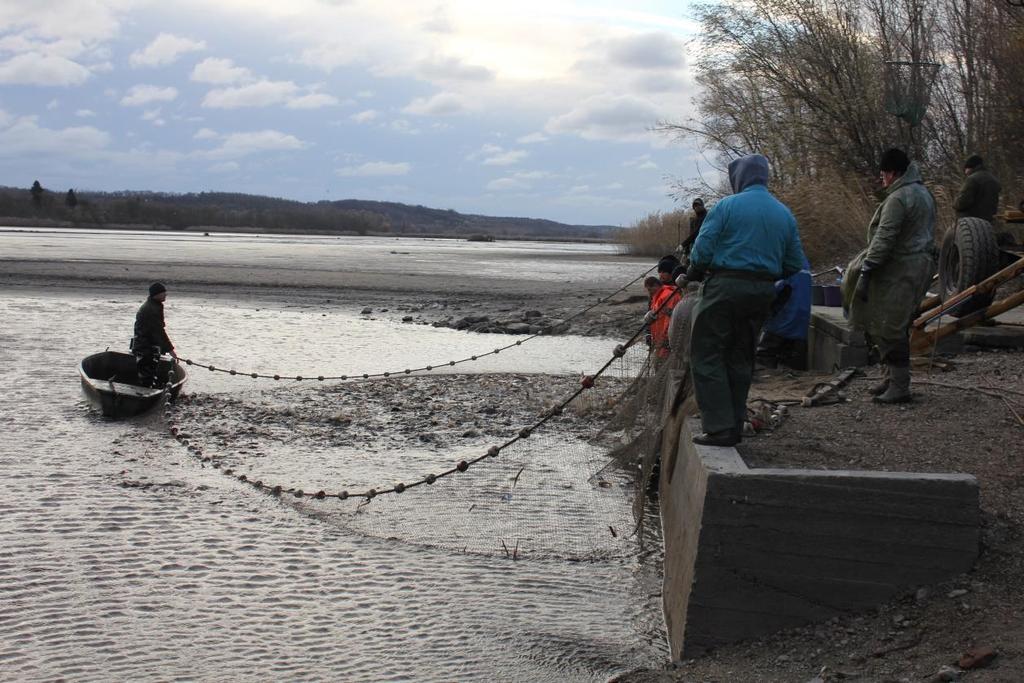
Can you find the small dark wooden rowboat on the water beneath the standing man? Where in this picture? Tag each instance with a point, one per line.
(110, 381)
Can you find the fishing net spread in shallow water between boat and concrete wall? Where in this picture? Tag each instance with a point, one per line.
(568, 491)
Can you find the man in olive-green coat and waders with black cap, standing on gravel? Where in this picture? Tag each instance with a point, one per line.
(894, 272)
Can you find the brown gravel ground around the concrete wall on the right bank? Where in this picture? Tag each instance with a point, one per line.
(965, 428)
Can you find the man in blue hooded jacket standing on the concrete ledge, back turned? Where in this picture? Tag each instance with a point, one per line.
(748, 241)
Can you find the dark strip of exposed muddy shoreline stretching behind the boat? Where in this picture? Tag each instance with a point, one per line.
(476, 304)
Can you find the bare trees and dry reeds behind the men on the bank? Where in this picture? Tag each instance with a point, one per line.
(822, 88)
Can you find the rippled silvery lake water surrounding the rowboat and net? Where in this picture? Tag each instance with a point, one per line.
(199, 579)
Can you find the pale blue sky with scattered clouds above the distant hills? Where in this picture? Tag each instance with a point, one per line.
(541, 109)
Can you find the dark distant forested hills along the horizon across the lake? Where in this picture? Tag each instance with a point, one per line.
(237, 212)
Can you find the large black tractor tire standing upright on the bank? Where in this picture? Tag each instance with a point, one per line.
(969, 255)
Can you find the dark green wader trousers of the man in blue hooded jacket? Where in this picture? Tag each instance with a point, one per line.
(728, 321)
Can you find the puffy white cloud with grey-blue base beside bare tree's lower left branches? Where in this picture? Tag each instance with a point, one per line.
(623, 118)
